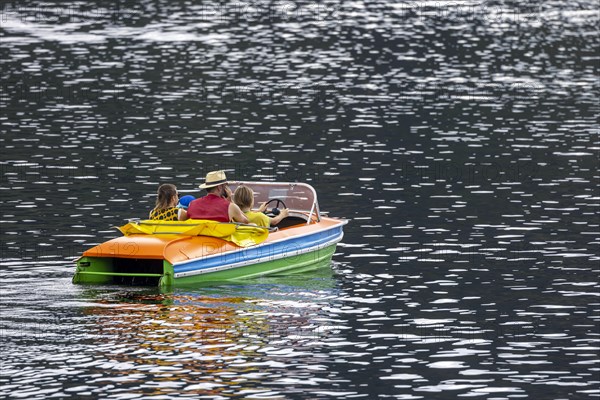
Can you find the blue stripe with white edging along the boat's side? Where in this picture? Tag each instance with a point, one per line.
(267, 250)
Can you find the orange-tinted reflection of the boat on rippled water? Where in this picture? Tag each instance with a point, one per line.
(216, 340)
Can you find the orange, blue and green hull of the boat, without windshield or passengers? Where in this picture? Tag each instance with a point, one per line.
(169, 259)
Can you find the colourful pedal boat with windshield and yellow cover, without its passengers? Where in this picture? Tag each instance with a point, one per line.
(180, 253)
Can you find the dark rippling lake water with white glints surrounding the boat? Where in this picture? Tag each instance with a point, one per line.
(460, 140)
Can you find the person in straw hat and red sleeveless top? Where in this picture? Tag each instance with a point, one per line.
(217, 204)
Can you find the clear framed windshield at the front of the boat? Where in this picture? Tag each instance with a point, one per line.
(296, 196)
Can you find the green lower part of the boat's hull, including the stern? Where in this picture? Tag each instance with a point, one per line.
(106, 270)
